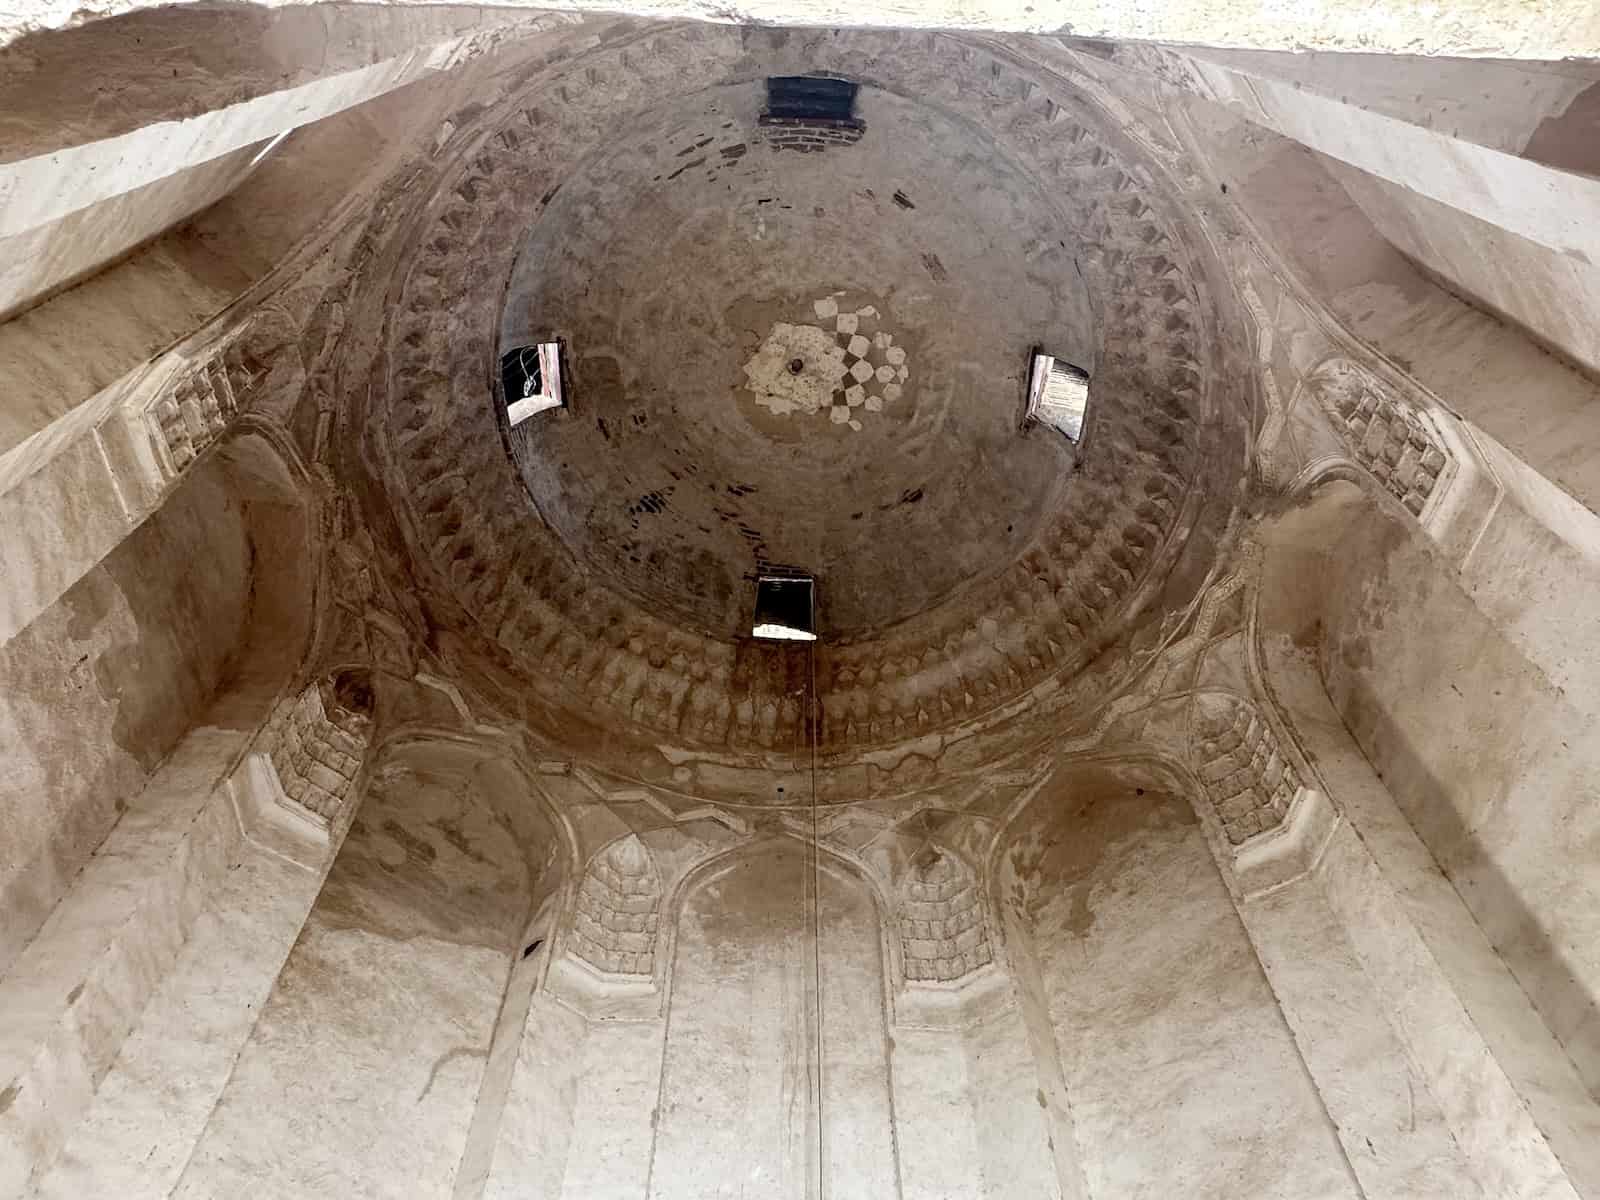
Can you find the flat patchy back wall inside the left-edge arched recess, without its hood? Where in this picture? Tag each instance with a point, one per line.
(98, 690)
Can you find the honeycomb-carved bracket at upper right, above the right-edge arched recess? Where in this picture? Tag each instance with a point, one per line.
(1388, 434)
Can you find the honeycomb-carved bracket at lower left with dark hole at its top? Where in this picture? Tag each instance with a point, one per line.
(318, 748)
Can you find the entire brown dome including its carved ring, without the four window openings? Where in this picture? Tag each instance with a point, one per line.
(799, 350)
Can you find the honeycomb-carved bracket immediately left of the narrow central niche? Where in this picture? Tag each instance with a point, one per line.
(615, 927)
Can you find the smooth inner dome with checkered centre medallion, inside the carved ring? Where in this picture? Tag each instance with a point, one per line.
(799, 354)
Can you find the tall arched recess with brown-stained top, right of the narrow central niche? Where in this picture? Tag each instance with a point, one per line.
(1143, 1001)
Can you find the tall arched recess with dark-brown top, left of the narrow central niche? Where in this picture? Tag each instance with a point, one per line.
(382, 1022)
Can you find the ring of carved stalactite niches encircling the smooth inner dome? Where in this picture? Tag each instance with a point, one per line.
(1007, 634)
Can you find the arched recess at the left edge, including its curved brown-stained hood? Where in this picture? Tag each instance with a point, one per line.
(199, 617)
